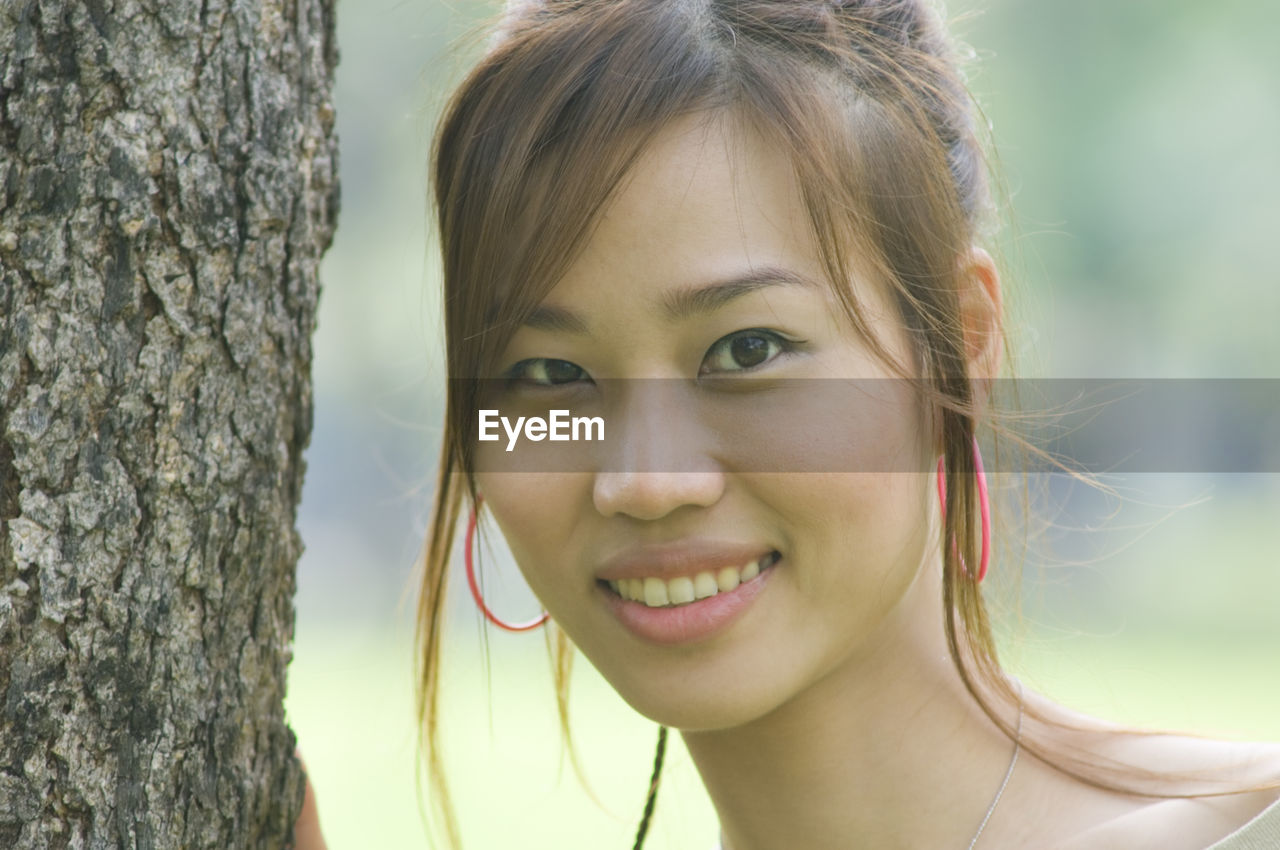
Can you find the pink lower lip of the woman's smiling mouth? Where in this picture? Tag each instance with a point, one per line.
(689, 623)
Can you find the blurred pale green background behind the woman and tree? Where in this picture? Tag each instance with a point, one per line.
(1139, 144)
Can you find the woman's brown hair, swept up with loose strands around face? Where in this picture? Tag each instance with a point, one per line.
(867, 102)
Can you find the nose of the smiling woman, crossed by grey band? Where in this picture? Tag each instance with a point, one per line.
(659, 464)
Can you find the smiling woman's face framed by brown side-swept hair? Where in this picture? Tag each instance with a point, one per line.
(703, 276)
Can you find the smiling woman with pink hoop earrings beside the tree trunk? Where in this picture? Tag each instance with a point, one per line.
(747, 236)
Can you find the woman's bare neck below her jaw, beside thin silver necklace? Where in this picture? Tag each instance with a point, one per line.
(888, 751)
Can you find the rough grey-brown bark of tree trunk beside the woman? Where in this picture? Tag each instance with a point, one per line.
(167, 190)
